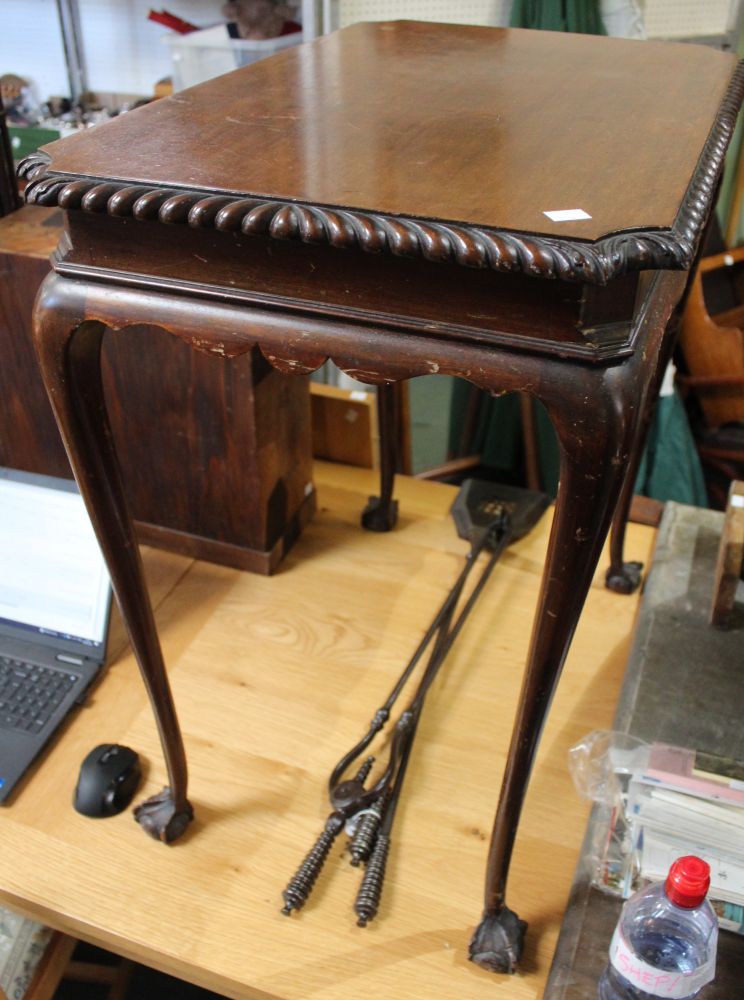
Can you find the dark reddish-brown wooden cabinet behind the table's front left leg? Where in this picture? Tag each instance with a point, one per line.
(227, 471)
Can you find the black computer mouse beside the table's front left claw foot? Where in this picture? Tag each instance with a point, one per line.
(108, 779)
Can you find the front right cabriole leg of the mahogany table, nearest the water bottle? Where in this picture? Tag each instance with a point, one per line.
(594, 454)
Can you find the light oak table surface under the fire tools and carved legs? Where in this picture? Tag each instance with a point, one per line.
(274, 679)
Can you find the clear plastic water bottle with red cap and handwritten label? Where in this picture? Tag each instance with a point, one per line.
(665, 941)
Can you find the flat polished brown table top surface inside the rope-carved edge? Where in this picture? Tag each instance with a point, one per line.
(446, 122)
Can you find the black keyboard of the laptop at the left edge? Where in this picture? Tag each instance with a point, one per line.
(29, 694)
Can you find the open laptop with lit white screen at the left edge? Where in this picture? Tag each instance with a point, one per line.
(55, 600)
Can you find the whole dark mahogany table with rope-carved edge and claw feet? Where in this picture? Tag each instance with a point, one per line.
(520, 209)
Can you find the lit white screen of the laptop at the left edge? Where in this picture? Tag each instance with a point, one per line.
(53, 580)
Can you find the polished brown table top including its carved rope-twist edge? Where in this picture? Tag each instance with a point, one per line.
(444, 142)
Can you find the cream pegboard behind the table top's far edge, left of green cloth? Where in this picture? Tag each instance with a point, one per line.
(452, 11)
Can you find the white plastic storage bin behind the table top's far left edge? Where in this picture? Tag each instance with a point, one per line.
(211, 52)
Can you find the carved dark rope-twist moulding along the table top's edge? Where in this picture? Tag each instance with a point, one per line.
(469, 246)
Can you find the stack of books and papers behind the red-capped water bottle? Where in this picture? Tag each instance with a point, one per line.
(686, 802)
